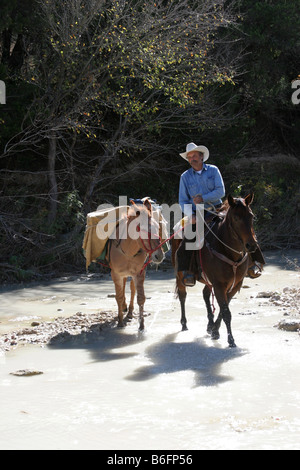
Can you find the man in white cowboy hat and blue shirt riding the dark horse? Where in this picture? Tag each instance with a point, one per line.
(200, 184)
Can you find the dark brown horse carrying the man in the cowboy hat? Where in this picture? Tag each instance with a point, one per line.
(223, 260)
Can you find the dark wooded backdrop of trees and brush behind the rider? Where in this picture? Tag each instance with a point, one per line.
(121, 87)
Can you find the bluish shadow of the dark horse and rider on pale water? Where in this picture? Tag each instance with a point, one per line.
(168, 357)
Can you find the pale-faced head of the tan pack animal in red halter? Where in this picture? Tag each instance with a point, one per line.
(147, 228)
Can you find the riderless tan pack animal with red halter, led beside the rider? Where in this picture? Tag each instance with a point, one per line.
(137, 238)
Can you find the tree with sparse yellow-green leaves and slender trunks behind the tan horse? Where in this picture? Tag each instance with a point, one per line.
(119, 73)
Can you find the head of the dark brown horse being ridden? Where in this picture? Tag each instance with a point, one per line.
(240, 217)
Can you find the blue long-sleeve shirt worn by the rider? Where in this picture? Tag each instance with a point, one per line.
(209, 184)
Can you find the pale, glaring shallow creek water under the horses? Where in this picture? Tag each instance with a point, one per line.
(164, 389)
